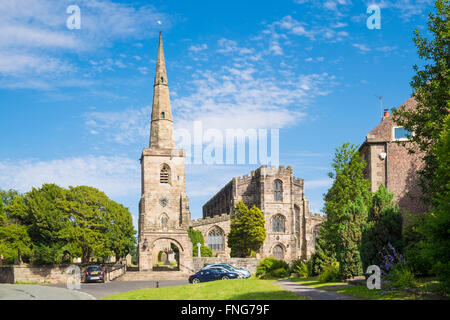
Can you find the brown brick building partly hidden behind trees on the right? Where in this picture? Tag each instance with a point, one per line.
(390, 164)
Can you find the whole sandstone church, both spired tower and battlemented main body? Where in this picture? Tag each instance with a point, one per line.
(164, 217)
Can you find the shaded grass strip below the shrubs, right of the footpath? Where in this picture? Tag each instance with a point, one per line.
(422, 292)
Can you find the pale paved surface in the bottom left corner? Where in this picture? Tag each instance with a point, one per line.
(38, 292)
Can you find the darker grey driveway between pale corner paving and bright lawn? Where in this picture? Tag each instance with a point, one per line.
(101, 290)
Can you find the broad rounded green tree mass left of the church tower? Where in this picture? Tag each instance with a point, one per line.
(58, 223)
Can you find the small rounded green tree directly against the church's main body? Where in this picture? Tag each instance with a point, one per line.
(247, 230)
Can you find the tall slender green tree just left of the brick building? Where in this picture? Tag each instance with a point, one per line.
(346, 207)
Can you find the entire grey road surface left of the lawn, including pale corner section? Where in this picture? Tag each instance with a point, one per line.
(88, 291)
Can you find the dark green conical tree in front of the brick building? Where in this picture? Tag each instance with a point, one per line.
(384, 226)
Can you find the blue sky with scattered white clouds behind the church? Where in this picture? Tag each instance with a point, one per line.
(75, 104)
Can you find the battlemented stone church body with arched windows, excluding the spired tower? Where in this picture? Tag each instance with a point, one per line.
(291, 228)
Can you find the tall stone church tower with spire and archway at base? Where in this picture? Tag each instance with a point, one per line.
(164, 215)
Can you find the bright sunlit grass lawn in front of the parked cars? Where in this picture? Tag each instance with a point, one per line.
(237, 289)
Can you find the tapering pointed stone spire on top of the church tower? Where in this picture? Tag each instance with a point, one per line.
(161, 131)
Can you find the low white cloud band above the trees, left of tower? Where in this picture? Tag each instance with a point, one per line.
(116, 176)
